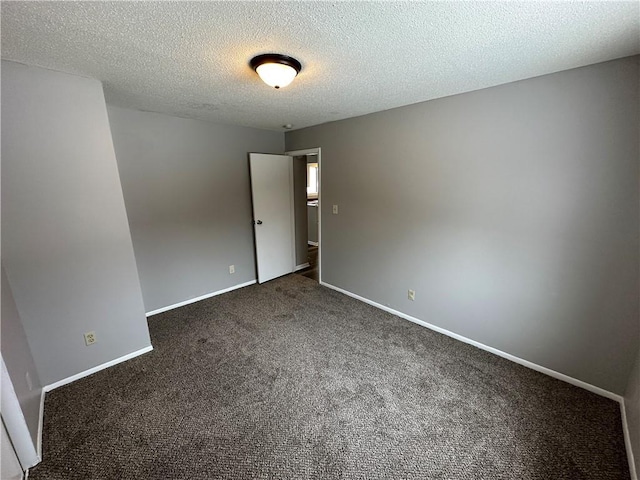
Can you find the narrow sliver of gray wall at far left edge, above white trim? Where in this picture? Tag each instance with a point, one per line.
(19, 361)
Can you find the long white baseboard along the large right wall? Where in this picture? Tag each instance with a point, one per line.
(539, 368)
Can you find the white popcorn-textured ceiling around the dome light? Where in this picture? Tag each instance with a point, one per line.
(191, 58)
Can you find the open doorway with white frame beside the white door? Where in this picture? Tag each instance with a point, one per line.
(307, 183)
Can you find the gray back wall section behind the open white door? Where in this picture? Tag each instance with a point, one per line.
(187, 191)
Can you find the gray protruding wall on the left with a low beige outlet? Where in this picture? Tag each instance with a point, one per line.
(66, 246)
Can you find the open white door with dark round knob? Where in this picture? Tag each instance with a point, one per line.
(272, 193)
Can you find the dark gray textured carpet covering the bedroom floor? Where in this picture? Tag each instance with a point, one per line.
(291, 380)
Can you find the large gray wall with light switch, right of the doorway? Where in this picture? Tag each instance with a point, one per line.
(512, 211)
